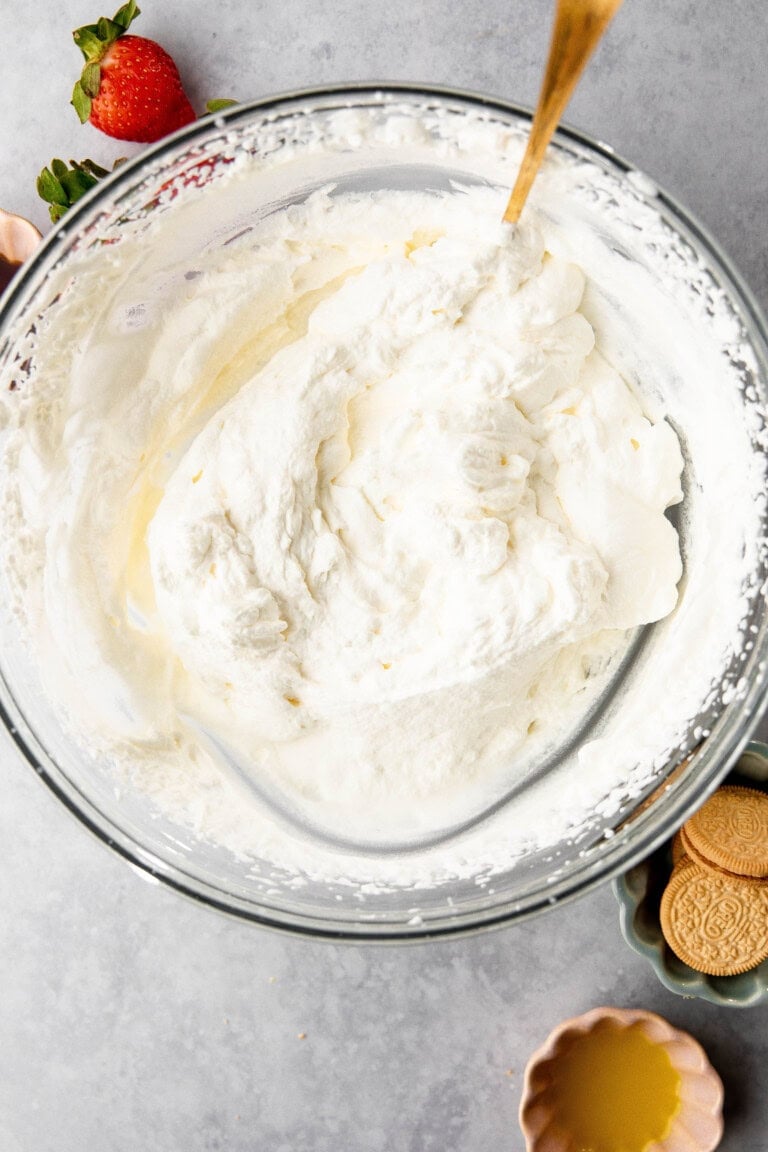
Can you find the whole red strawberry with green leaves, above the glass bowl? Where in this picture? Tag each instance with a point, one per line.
(131, 88)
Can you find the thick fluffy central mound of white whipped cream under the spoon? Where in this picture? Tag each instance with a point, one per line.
(396, 551)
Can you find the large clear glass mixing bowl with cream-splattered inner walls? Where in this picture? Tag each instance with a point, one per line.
(302, 142)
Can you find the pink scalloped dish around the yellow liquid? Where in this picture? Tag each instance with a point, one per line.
(697, 1126)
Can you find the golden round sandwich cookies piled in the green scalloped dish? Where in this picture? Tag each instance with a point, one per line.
(714, 912)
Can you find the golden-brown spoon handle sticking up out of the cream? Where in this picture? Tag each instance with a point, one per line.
(580, 25)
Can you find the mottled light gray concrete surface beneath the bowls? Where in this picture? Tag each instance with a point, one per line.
(131, 1019)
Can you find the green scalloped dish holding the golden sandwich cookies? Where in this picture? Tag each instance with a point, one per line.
(640, 891)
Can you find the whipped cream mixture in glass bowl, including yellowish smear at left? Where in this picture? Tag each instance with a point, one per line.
(363, 512)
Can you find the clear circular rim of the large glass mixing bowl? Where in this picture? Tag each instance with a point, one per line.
(617, 855)
